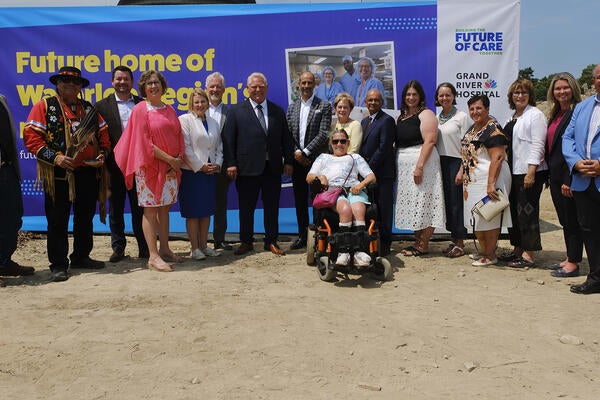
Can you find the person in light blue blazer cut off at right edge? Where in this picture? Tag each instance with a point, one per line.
(581, 148)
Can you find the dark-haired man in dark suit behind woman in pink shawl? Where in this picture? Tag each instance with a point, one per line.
(115, 109)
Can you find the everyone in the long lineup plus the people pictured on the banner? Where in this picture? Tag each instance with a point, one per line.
(436, 168)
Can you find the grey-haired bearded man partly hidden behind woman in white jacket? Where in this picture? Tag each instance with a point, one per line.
(215, 87)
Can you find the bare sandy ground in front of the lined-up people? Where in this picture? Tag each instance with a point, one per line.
(265, 327)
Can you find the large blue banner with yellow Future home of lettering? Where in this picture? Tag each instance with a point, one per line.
(187, 43)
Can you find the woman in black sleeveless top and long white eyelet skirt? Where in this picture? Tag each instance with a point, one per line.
(419, 198)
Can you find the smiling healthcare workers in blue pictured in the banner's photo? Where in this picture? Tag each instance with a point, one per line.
(356, 81)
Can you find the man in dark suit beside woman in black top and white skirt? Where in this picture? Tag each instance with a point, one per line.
(379, 130)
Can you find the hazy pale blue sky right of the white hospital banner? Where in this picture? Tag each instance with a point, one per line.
(559, 35)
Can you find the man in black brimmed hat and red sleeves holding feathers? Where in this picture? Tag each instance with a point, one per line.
(70, 141)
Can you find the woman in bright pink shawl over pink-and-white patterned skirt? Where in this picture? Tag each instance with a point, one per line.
(150, 151)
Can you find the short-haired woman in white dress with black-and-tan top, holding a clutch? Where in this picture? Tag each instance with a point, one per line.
(484, 170)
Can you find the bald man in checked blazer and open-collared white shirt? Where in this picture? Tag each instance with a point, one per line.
(309, 120)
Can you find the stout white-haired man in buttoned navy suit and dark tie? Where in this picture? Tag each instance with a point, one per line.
(256, 145)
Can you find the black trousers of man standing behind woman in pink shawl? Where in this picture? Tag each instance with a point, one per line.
(116, 204)
